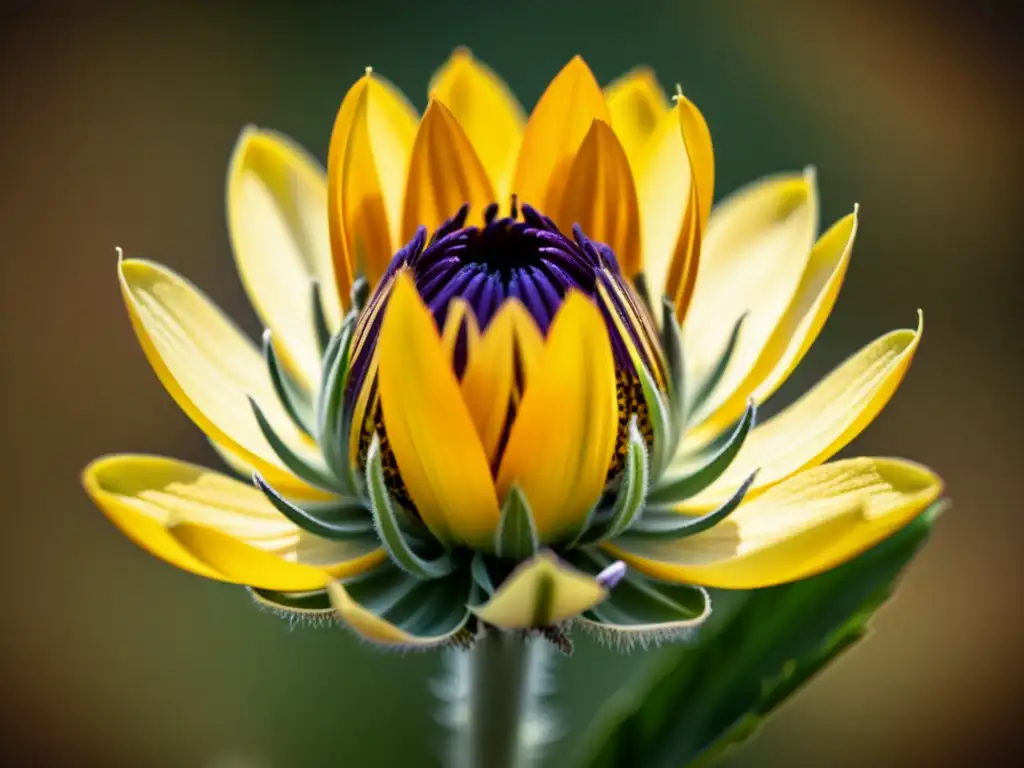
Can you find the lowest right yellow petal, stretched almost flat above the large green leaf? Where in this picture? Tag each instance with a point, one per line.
(812, 523)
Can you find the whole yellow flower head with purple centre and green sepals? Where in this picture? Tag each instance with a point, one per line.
(473, 405)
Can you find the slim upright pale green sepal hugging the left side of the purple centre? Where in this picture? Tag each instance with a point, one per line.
(332, 430)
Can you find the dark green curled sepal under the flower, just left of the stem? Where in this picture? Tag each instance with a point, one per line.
(424, 609)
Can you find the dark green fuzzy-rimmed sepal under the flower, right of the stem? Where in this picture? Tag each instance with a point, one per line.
(641, 611)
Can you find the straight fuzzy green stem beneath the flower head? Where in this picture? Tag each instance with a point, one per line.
(499, 694)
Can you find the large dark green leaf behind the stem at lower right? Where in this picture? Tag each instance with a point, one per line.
(704, 700)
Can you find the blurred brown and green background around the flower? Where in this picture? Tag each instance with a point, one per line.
(117, 124)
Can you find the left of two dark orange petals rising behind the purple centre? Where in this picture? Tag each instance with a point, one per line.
(445, 174)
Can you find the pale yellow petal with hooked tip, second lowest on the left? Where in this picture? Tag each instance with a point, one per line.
(209, 367)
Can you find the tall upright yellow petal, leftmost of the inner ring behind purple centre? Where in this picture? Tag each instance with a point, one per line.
(371, 146)
